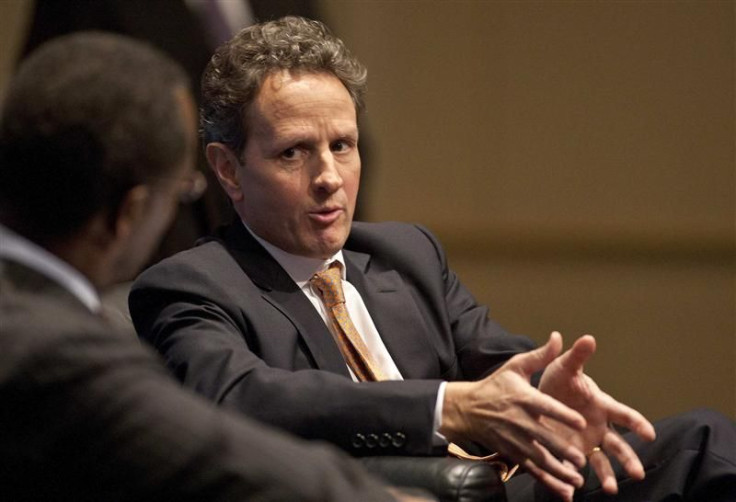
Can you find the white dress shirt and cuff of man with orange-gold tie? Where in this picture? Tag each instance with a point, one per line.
(301, 269)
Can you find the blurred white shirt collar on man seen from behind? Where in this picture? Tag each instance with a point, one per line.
(21, 250)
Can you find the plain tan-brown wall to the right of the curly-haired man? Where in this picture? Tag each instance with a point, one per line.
(577, 160)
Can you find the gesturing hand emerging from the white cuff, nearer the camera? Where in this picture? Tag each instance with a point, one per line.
(505, 413)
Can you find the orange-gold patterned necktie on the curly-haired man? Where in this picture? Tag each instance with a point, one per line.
(351, 344)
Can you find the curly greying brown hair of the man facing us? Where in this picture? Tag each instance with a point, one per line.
(236, 71)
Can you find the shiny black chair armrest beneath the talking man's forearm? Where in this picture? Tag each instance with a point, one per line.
(448, 479)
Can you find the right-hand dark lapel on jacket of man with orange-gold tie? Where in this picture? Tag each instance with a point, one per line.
(395, 314)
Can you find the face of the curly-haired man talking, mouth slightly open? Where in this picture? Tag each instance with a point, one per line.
(300, 167)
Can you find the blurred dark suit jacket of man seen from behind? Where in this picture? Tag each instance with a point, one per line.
(87, 414)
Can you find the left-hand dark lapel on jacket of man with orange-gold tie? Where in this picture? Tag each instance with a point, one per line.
(281, 291)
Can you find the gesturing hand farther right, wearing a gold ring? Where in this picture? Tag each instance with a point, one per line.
(564, 380)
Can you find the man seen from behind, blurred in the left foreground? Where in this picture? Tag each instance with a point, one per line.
(97, 141)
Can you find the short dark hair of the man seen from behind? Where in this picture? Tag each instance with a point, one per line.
(87, 117)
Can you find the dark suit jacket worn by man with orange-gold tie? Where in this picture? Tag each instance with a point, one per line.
(233, 326)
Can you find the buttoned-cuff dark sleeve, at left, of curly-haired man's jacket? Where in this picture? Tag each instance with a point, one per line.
(190, 312)
